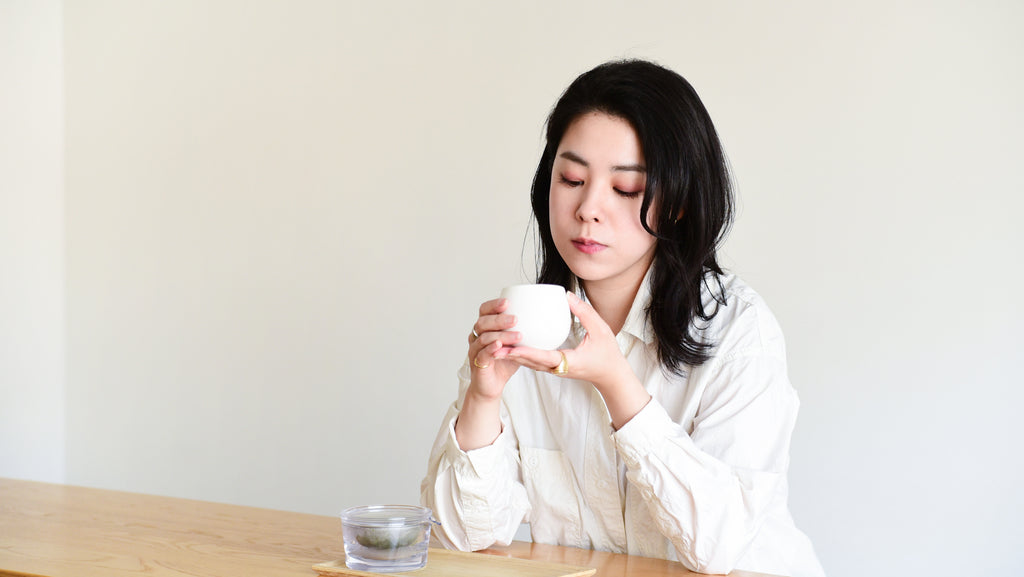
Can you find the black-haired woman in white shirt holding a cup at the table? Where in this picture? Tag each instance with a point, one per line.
(662, 427)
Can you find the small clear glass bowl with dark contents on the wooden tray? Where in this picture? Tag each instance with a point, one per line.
(387, 539)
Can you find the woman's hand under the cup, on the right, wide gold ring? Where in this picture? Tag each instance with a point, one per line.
(599, 360)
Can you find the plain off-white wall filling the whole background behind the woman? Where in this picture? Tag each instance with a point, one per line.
(242, 242)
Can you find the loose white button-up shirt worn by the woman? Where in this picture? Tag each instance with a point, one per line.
(699, 476)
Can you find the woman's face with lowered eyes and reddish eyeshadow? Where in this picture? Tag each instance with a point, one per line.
(598, 187)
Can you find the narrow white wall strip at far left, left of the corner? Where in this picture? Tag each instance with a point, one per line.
(32, 260)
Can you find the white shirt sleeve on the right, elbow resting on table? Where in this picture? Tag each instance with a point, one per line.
(711, 490)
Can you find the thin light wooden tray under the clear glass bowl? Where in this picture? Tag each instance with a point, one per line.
(445, 563)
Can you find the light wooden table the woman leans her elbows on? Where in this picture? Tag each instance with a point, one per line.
(64, 531)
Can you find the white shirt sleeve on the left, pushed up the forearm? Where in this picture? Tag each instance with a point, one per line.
(478, 497)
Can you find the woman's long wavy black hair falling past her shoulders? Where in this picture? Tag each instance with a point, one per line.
(689, 184)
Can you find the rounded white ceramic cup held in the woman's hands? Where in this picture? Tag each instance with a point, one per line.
(542, 314)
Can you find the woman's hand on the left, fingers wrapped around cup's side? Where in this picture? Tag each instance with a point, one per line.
(489, 347)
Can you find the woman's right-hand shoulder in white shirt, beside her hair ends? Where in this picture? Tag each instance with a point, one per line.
(744, 325)
